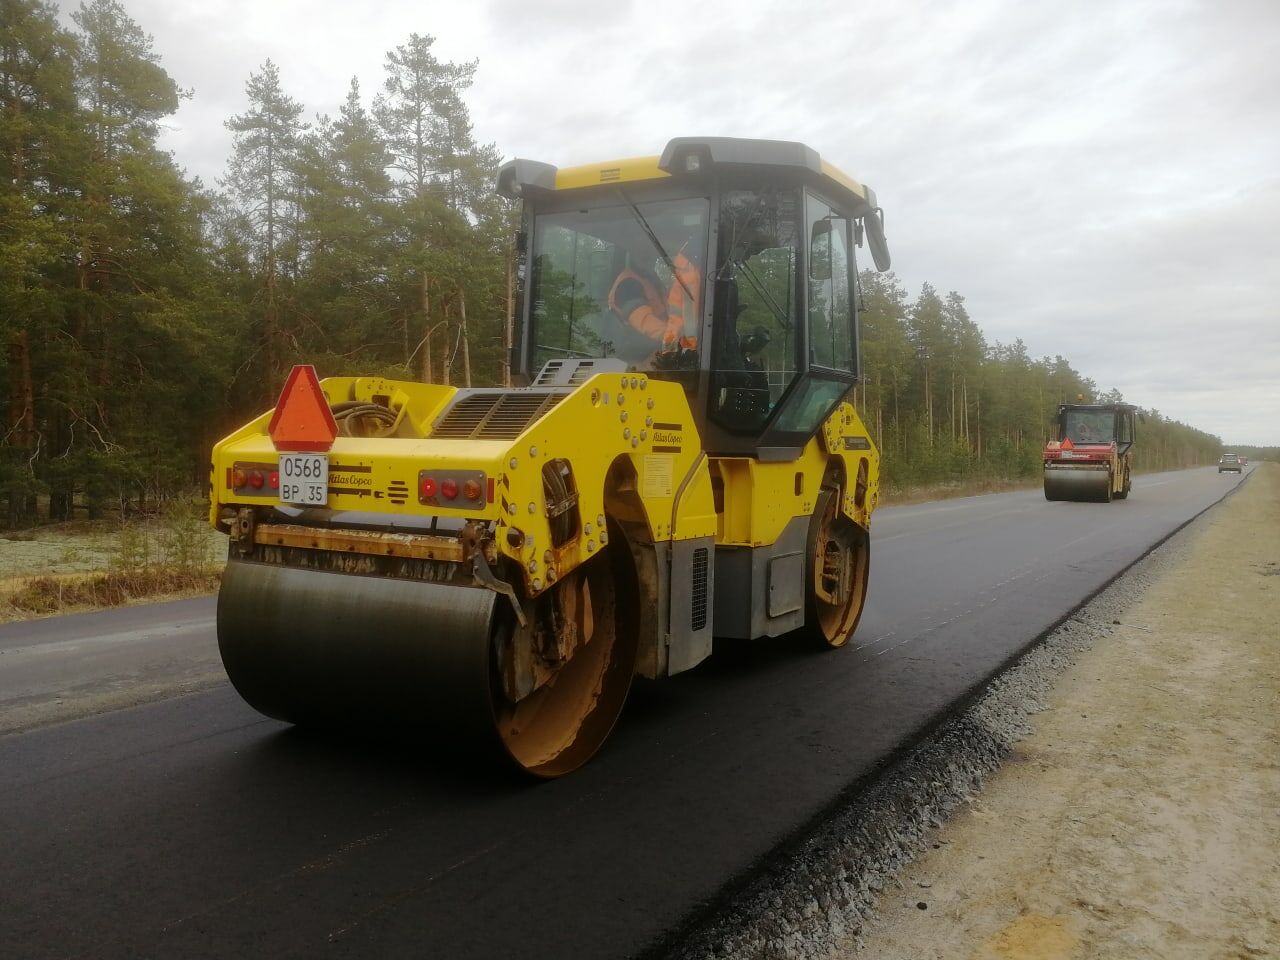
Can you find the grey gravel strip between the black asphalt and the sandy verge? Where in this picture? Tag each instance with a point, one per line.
(813, 892)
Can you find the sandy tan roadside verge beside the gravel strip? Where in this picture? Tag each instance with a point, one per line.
(1141, 819)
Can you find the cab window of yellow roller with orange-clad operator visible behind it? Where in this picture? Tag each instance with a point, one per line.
(623, 282)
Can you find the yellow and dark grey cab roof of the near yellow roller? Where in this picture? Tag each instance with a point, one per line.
(685, 157)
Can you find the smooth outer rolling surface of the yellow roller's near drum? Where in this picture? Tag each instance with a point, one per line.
(317, 648)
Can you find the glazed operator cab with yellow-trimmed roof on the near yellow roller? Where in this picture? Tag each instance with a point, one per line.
(726, 266)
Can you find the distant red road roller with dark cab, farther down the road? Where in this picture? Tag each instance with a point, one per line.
(1090, 460)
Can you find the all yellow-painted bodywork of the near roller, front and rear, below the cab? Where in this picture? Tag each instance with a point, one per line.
(591, 429)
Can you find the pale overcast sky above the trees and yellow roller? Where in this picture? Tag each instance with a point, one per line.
(1100, 179)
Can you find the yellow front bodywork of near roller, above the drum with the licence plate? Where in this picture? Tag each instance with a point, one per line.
(633, 418)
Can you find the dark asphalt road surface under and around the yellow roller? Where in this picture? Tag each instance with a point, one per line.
(194, 828)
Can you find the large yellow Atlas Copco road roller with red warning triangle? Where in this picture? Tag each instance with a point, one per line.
(678, 460)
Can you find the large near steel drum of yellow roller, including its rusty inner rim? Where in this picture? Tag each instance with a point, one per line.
(327, 650)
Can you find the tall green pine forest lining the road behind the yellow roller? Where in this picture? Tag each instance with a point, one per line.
(143, 314)
